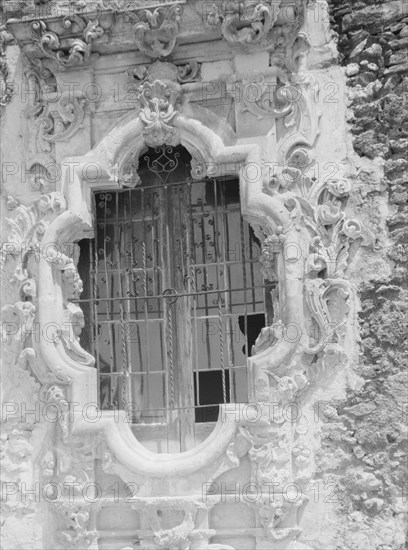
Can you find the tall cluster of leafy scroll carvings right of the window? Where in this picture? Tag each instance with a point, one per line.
(316, 206)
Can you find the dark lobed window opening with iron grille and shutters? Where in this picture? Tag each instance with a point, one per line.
(174, 295)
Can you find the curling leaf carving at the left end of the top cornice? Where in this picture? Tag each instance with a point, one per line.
(71, 50)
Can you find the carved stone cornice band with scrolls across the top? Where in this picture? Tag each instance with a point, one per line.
(69, 37)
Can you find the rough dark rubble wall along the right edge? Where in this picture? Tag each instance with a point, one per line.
(366, 437)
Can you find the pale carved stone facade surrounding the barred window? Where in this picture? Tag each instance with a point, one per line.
(253, 90)
